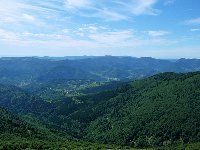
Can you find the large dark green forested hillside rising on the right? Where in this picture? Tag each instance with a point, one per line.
(159, 110)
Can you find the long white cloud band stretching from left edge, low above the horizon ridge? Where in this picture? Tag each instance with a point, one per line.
(98, 39)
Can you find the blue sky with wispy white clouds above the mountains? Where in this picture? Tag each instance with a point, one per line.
(139, 28)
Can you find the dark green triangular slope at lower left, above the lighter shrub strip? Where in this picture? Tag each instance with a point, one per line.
(12, 125)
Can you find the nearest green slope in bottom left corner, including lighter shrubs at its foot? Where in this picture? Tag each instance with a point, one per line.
(16, 134)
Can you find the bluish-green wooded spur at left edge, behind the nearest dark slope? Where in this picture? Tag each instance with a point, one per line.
(16, 100)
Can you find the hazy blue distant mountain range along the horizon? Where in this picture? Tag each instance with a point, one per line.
(28, 70)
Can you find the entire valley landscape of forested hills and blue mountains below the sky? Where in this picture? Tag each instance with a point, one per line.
(143, 108)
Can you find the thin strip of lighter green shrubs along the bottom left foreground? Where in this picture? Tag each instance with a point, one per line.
(17, 143)
